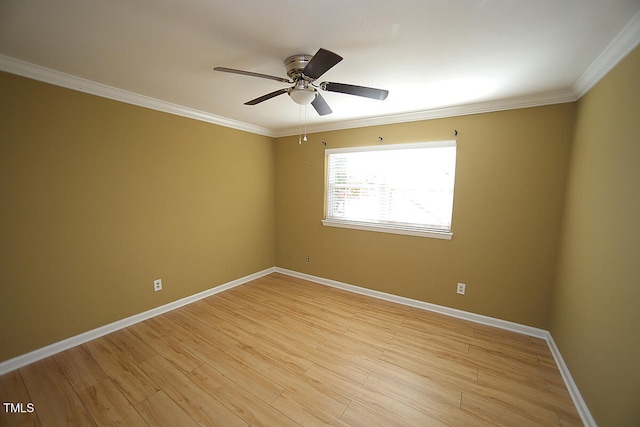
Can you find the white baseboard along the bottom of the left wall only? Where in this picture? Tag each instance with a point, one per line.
(82, 338)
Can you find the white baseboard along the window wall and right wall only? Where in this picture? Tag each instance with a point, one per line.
(578, 401)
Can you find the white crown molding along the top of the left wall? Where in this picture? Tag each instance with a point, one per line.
(47, 75)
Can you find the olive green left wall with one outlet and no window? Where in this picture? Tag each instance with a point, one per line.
(99, 198)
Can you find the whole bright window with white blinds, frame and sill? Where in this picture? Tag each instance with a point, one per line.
(403, 188)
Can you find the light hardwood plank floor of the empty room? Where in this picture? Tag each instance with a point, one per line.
(280, 351)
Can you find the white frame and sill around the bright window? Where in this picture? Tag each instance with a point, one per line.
(382, 227)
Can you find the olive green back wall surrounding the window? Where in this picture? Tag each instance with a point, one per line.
(510, 175)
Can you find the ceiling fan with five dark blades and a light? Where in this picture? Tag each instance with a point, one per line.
(303, 70)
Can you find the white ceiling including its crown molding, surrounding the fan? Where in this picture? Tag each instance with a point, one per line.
(436, 58)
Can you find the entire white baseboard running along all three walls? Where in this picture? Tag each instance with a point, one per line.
(66, 344)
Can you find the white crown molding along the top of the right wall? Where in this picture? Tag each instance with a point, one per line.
(615, 52)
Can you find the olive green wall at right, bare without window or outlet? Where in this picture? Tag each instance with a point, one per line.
(595, 319)
